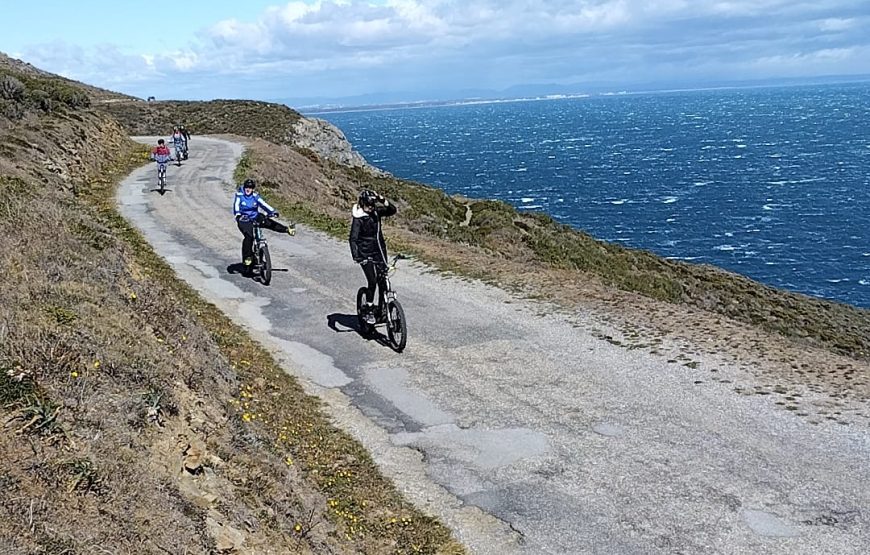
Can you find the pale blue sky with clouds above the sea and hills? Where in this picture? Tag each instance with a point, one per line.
(326, 49)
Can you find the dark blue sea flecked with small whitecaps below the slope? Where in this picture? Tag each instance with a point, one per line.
(773, 183)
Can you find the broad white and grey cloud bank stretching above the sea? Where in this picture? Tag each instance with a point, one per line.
(334, 48)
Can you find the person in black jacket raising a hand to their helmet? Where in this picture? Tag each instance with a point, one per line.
(367, 245)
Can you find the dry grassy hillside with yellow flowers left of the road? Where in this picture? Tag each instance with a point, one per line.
(137, 418)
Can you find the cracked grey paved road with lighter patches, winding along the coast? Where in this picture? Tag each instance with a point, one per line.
(535, 436)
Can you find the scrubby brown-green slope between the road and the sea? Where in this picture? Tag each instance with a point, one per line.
(492, 240)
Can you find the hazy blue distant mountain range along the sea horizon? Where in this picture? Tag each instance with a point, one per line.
(536, 90)
